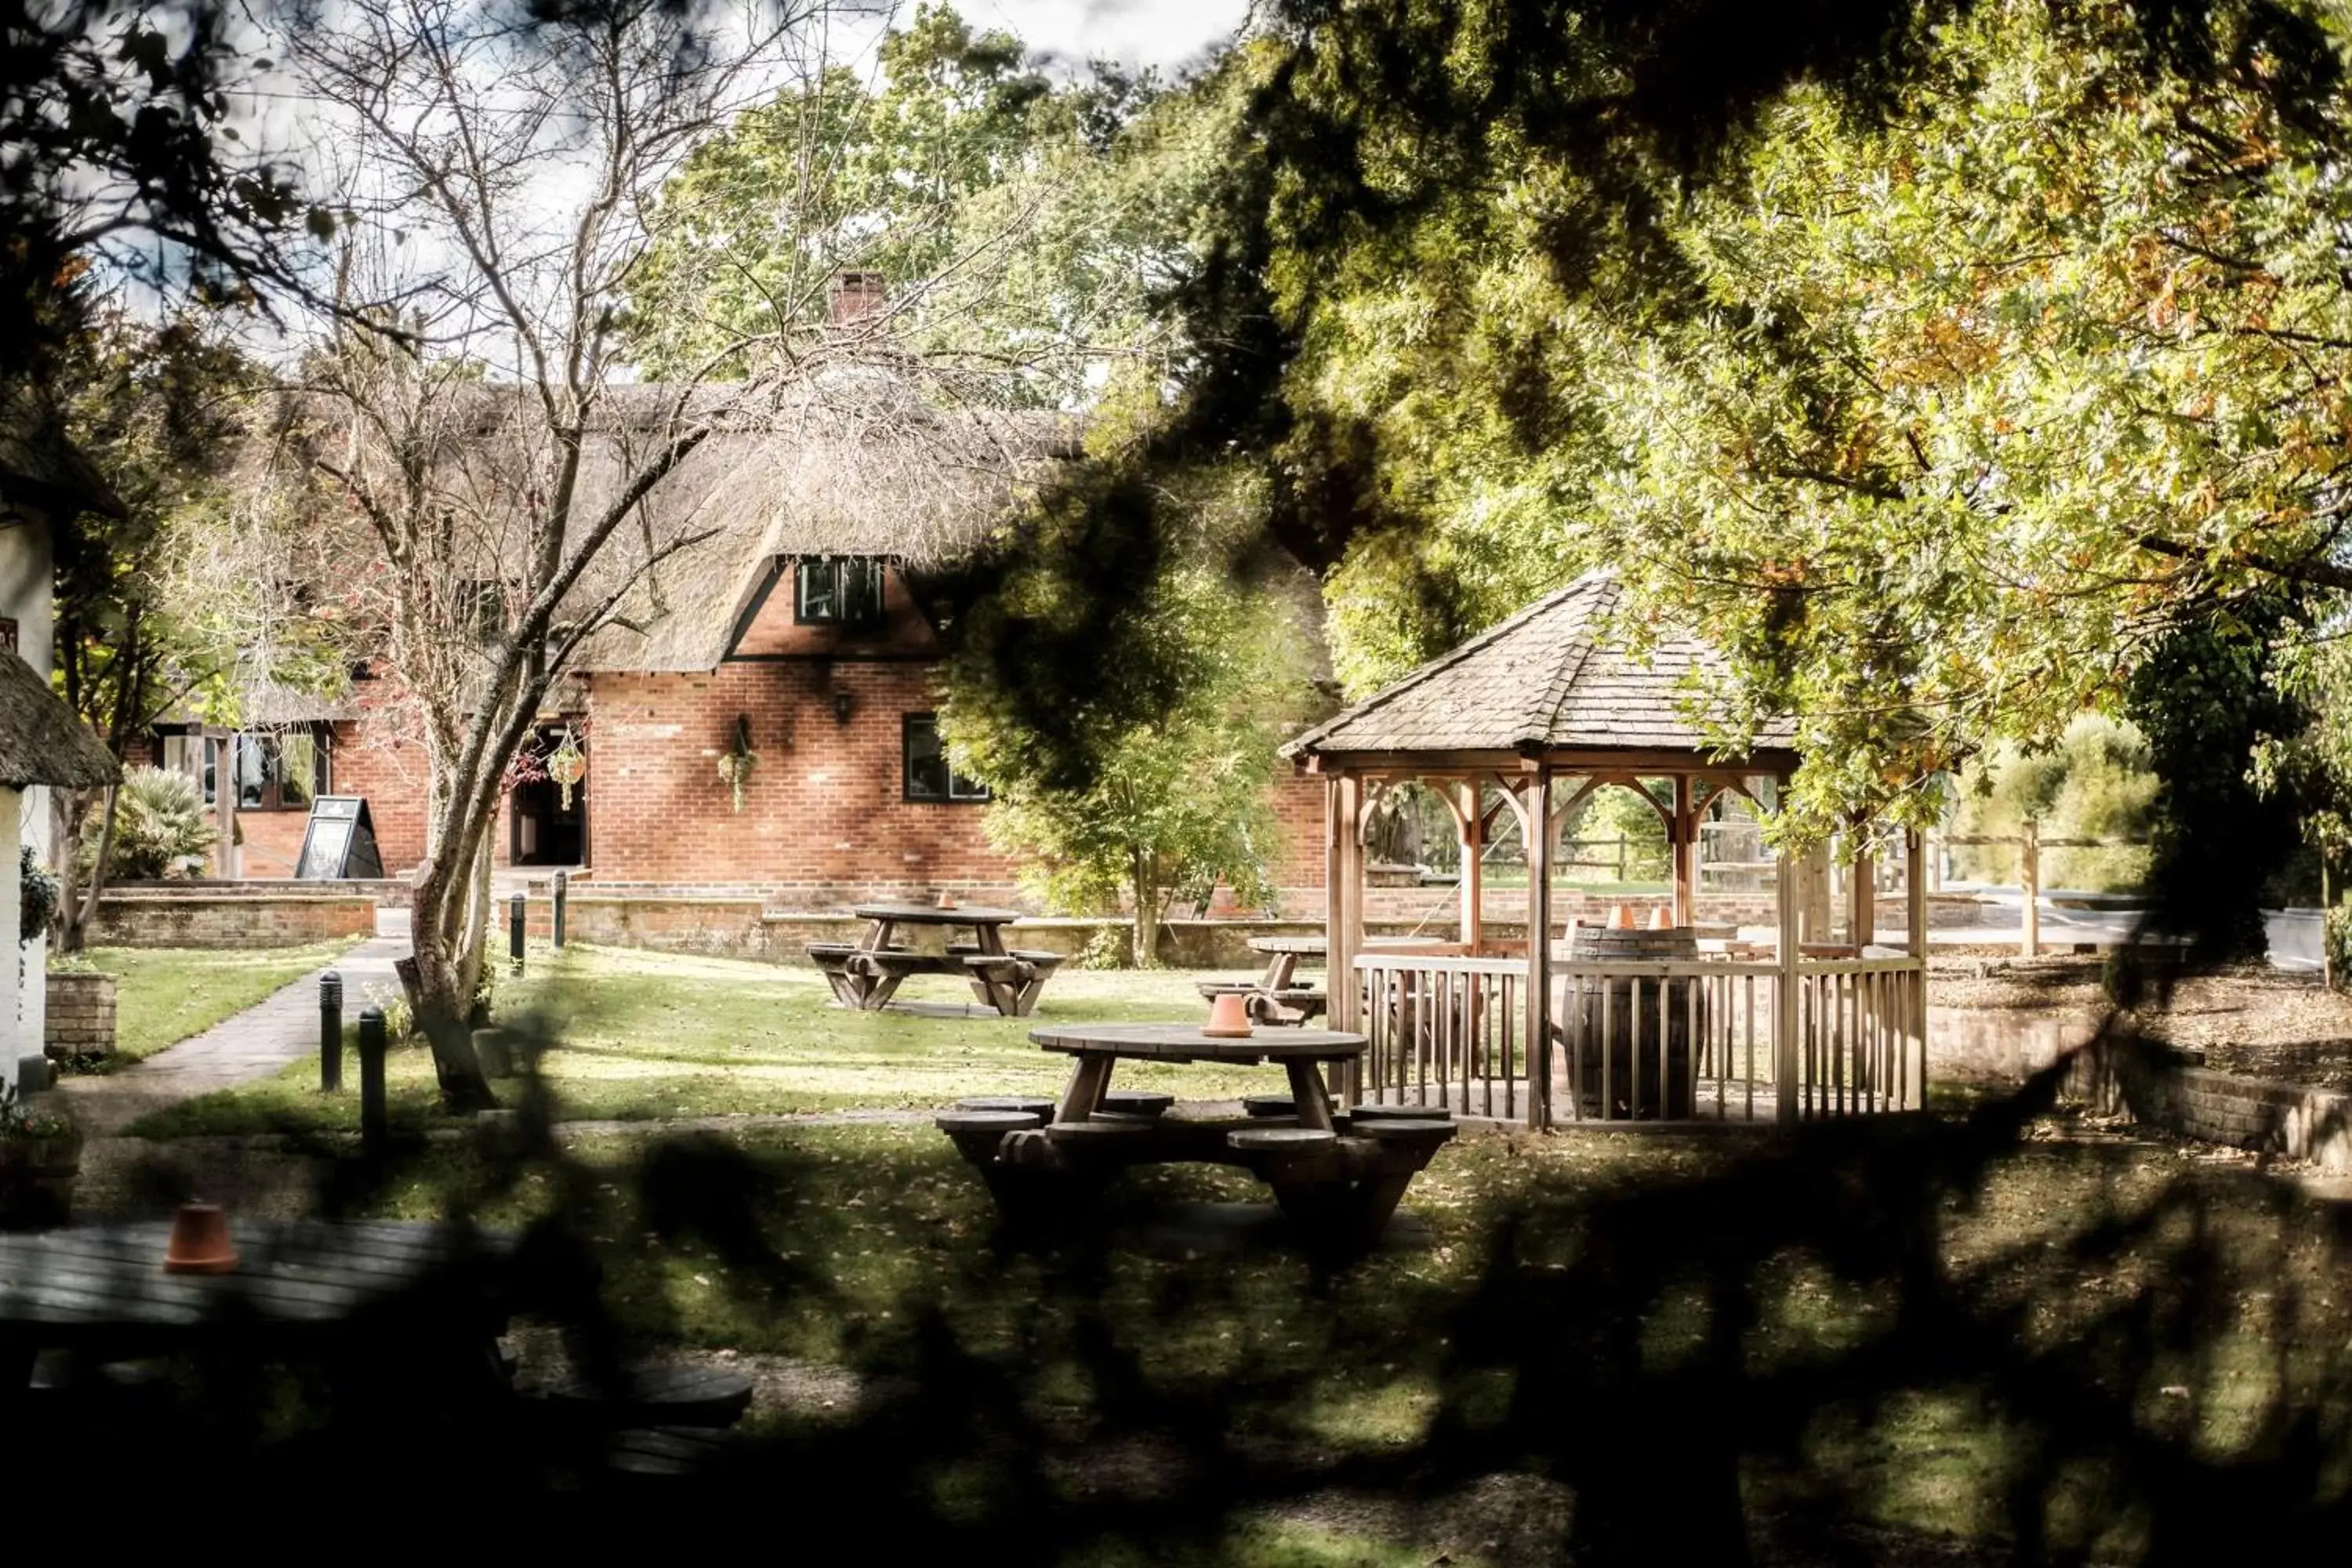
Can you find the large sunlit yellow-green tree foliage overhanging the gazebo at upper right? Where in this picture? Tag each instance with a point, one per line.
(1937, 417)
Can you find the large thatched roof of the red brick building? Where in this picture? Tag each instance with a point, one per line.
(853, 464)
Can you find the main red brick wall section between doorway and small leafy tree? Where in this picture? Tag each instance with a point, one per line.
(822, 815)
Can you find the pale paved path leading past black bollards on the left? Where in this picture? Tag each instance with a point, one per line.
(239, 1050)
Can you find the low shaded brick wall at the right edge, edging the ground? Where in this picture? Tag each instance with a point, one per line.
(2172, 1092)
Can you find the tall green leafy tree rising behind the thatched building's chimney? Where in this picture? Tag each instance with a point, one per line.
(956, 177)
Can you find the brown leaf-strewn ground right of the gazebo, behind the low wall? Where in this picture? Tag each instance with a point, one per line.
(2247, 1019)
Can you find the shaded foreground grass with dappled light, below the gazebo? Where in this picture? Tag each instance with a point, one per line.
(2097, 1322)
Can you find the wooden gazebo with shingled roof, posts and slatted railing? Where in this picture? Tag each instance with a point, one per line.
(1532, 718)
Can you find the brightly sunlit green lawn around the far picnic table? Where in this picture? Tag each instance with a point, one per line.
(653, 1036)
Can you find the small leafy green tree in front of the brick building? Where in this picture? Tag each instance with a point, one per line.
(1158, 777)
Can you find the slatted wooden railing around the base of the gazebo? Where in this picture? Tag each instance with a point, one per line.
(1664, 1040)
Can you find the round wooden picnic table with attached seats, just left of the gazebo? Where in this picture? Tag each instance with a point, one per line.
(1335, 1174)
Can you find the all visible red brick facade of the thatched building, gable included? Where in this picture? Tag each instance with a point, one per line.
(824, 812)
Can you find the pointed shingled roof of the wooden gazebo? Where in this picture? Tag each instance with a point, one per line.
(1553, 678)
